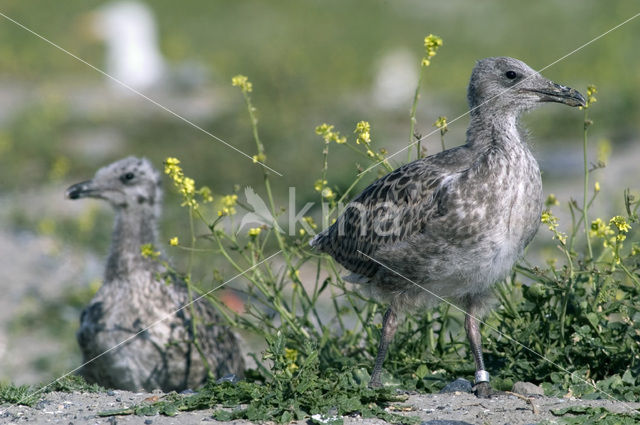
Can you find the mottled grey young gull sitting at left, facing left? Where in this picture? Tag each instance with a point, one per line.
(139, 291)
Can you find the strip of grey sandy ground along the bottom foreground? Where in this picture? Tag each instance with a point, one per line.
(82, 408)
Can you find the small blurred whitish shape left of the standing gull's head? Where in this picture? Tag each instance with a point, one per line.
(395, 80)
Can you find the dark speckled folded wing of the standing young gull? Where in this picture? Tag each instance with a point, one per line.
(390, 210)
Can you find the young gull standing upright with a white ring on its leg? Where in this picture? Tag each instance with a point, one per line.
(456, 222)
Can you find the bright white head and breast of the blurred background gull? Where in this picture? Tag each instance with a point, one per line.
(129, 31)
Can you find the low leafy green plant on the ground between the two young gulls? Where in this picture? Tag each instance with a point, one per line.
(293, 390)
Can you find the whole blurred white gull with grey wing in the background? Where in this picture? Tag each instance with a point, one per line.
(133, 57)
